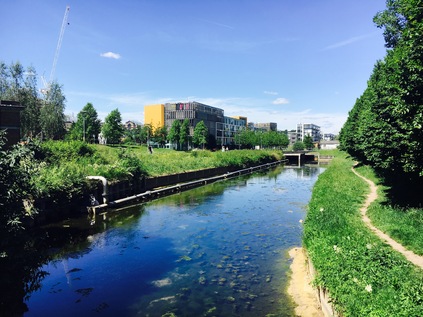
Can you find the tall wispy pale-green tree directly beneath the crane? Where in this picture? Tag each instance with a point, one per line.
(52, 116)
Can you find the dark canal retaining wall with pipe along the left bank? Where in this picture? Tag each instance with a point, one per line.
(53, 209)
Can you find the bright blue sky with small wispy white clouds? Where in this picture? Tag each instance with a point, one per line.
(283, 61)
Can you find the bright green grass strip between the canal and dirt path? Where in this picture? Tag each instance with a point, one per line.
(364, 276)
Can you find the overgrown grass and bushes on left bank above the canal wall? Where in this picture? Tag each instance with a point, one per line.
(55, 171)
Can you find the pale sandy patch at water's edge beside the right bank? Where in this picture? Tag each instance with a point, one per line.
(300, 288)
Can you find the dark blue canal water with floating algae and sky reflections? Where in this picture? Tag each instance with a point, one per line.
(217, 250)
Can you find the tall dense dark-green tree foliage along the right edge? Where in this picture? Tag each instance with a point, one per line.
(384, 128)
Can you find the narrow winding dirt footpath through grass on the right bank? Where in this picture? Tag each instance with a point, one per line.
(410, 256)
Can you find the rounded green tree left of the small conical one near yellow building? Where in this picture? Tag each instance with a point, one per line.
(87, 125)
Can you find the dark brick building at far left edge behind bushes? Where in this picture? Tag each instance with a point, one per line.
(10, 120)
